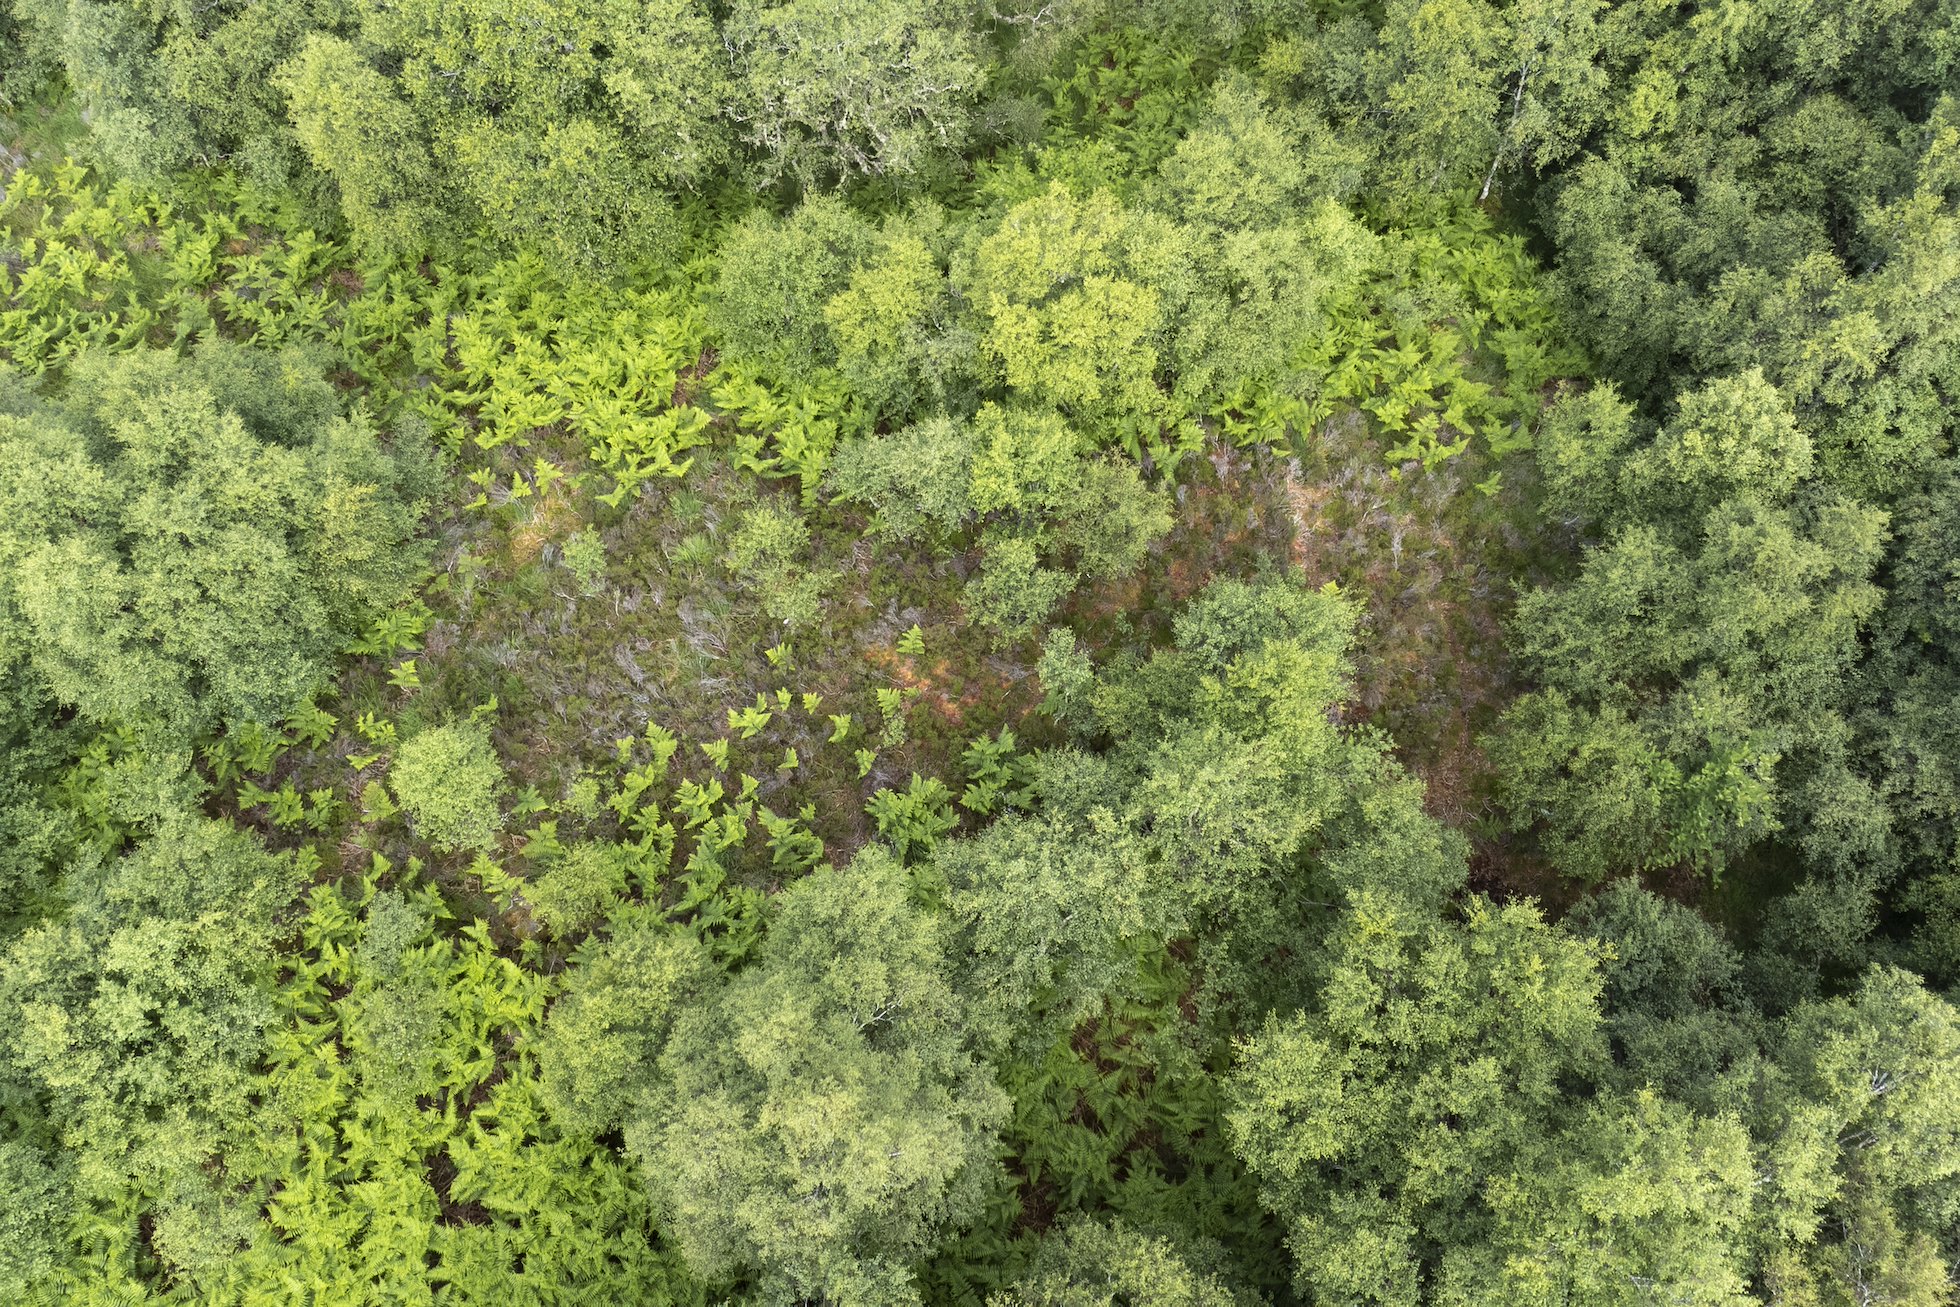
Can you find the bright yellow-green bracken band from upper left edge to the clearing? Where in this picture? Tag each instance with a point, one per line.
(493, 356)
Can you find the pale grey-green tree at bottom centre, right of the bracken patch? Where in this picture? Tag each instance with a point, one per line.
(822, 1120)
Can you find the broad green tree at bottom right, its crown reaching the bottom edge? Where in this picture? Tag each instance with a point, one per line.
(1436, 1061)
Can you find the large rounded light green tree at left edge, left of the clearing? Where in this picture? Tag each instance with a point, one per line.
(170, 565)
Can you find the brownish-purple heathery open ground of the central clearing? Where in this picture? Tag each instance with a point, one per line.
(667, 636)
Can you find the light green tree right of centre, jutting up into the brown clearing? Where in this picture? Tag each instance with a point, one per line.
(1263, 814)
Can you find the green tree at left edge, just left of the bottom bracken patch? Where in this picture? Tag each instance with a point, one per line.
(136, 1020)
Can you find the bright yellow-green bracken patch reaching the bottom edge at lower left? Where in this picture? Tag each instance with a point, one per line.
(405, 1143)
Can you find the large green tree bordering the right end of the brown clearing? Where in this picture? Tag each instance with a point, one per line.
(1694, 671)
